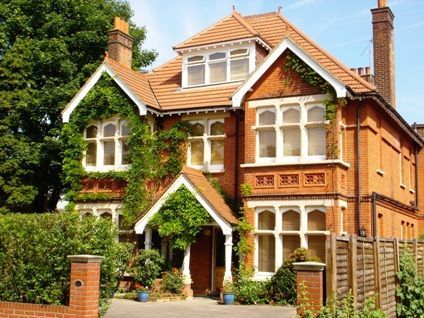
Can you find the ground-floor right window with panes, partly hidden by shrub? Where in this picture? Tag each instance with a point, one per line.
(280, 229)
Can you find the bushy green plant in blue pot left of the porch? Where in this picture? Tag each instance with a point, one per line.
(147, 267)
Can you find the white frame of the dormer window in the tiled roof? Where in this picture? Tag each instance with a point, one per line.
(250, 55)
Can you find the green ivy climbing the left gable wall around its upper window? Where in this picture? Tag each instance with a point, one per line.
(154, 156)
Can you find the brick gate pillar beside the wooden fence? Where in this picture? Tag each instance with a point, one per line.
(310, 279)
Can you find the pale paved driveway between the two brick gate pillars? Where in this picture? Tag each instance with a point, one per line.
(196, 308)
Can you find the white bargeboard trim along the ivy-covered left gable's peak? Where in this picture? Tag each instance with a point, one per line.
(66, 113)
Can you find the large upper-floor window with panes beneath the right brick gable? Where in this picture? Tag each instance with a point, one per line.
(289, 130)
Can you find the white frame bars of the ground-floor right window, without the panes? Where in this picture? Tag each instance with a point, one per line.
(303, 207)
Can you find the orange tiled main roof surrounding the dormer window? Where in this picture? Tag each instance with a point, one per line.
(161, 88)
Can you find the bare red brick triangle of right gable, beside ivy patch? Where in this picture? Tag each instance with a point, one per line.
(280, 81)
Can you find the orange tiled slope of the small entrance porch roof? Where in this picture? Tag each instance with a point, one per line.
(209, 193)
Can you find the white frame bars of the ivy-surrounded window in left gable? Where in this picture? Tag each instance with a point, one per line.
(117, 138)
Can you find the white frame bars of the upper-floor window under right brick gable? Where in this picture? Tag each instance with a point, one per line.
(280, 105)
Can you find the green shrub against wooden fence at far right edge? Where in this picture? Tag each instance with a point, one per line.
(410, 292)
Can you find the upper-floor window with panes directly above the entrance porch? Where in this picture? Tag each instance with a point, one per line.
(206, 145)
